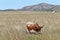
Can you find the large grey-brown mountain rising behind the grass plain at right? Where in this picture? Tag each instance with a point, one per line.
(41, 7)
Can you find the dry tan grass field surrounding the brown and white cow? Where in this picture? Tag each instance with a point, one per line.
(13, 25)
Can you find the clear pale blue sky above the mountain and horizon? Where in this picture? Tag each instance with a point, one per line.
(17, 4)
